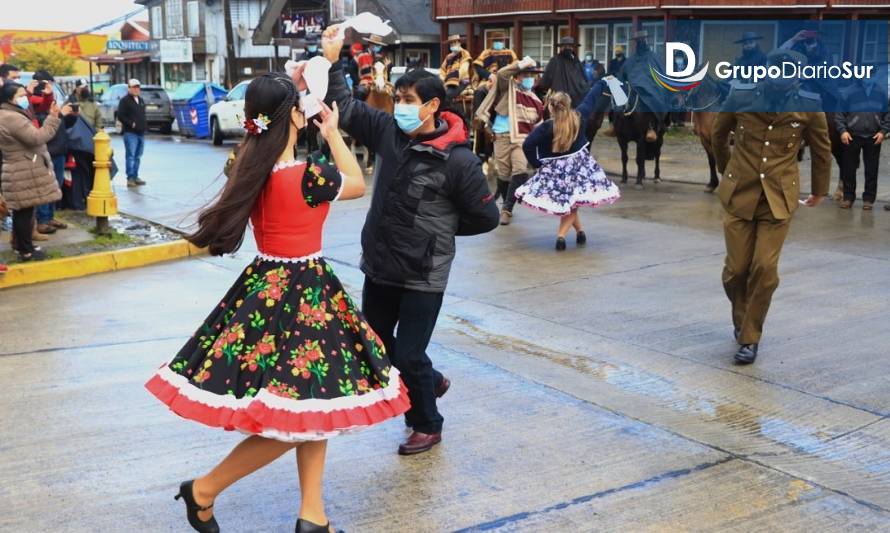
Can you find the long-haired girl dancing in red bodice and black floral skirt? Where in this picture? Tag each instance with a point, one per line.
(285, 357)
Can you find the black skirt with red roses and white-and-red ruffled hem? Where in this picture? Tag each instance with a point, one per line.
(285, 355)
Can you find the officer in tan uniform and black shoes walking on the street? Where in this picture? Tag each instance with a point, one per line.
(760, 191)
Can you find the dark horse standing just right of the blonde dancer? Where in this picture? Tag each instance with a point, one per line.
(631, 126)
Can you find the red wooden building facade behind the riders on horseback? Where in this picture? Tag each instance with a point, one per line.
(535, 26)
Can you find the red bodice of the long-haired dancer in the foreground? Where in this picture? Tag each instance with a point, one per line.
(284, 224)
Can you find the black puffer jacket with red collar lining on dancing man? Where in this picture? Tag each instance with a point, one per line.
(427, 191)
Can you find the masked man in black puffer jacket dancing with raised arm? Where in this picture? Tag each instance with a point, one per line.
(430, 187)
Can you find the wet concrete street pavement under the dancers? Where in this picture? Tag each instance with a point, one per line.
(593, 390)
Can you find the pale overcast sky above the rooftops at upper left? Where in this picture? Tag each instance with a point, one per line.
(65, 15)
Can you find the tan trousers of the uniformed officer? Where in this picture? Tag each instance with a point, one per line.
(751, 271)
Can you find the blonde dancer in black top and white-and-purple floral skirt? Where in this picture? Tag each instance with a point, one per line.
(568, 176)
